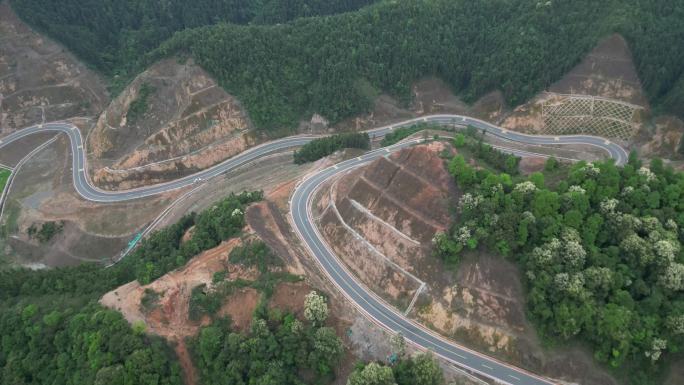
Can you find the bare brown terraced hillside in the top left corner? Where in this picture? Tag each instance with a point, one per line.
(39, 80)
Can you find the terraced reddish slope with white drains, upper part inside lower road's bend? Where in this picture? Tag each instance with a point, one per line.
(396, 204)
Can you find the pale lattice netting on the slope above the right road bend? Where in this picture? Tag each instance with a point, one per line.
(590, 115)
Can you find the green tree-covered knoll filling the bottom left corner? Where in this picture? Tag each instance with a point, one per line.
(50, 344)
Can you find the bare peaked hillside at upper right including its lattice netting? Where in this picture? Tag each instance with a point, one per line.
(620, 110)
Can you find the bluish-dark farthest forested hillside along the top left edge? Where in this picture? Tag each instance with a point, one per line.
(112, 34)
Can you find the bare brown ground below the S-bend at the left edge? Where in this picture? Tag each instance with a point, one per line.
(43, 191)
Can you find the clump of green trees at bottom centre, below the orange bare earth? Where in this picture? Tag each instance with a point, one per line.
(278, 350)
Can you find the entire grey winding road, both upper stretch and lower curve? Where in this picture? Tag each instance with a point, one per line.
(300, 208)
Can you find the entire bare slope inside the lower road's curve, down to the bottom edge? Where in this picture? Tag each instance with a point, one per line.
(380, 220)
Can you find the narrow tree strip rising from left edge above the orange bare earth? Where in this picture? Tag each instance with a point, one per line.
(161, 252)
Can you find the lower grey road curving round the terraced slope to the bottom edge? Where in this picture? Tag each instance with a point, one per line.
(378, 310)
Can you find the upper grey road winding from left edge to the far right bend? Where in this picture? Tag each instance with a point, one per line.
(88, 191)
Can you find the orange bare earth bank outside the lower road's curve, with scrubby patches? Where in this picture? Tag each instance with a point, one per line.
(170, 316)
